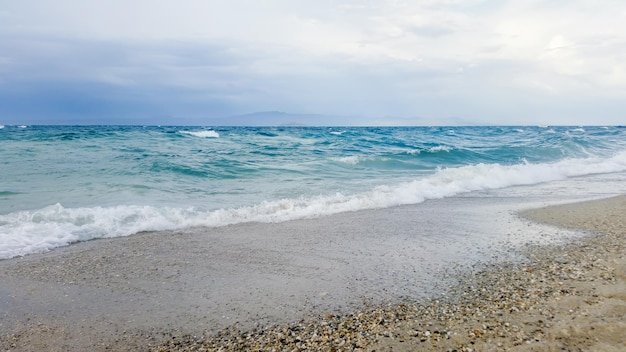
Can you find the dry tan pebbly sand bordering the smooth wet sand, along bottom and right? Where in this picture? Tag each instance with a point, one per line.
(562, 297)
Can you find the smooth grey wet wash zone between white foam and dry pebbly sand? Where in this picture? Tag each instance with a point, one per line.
(207, 278)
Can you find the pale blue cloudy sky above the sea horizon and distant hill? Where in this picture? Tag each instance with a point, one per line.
(383, 62)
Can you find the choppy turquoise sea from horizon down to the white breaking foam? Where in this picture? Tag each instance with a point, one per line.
(60, 185)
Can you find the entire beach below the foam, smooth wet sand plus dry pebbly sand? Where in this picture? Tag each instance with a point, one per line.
(317, 290)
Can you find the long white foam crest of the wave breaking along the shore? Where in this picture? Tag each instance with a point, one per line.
(41, 230)
